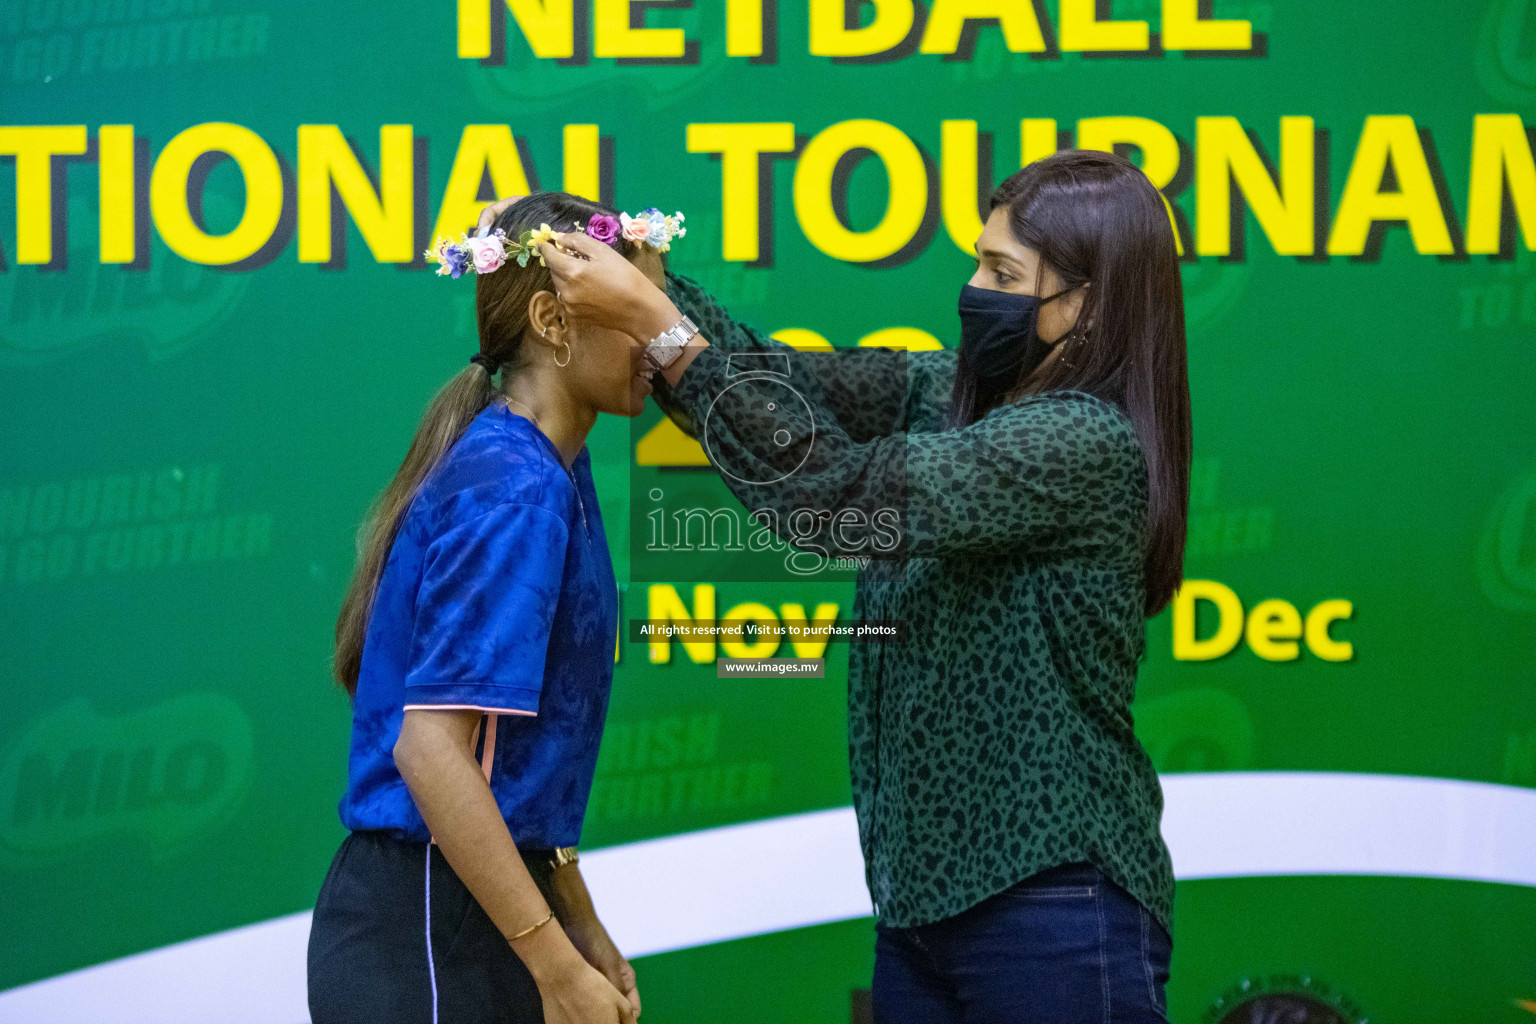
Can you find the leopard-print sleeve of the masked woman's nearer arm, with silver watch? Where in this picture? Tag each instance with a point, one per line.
(1061, 472)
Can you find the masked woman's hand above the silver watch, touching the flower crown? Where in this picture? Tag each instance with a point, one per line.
(600, 286)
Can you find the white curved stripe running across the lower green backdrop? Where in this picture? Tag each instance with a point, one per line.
(806, 870)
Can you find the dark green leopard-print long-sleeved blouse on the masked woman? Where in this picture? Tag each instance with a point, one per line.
(998, 741)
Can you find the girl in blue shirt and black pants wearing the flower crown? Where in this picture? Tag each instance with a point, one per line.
(477, 639)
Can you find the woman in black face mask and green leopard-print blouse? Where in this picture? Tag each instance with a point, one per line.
(1007, 811)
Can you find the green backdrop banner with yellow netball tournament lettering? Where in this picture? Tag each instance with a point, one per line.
(217, 334)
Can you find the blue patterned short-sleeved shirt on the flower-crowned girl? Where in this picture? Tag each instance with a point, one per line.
(498, 595)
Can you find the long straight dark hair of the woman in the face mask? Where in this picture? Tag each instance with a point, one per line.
(1096, 219)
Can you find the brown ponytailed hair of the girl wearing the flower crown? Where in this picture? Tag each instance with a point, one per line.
(502, 312)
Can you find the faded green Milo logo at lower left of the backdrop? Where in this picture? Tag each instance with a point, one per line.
(164, 775)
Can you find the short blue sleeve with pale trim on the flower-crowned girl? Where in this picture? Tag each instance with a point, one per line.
(485, 612)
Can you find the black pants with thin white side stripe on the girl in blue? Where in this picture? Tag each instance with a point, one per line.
(368, 945)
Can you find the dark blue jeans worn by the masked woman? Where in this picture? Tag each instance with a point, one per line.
(1065, 946)
